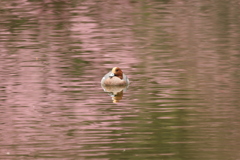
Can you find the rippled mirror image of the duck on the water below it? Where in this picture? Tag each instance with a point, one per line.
(116, 92)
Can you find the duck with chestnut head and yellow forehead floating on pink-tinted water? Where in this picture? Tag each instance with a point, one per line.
(115, 78)
